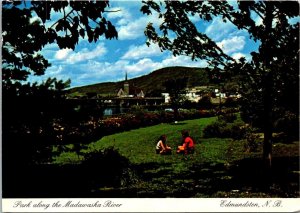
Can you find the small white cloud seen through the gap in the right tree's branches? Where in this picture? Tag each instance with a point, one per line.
(236, 43)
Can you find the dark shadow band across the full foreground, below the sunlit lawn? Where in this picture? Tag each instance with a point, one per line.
(245, 178)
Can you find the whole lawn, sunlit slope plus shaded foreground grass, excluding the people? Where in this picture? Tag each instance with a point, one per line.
(218, 168)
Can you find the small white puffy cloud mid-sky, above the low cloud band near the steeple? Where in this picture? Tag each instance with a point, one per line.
(137, 52)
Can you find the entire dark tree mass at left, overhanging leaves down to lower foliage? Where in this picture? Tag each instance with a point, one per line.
(31, 110)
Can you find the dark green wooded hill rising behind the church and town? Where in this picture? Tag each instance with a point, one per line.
(151, 84)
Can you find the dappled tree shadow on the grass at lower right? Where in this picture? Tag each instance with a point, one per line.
(245, 178)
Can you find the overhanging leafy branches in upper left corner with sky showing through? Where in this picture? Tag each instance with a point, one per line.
(26, 30)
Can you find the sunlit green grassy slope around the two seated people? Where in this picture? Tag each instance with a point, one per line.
(139, 145)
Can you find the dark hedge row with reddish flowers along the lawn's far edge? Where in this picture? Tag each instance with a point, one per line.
(95, 129)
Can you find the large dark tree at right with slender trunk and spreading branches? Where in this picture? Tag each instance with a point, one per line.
(265, 77)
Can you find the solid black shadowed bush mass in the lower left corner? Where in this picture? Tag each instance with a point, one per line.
(102, 169)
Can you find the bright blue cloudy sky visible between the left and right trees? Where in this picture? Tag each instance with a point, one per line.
(109, 60)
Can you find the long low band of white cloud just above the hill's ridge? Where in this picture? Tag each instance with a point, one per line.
(93, 71)
